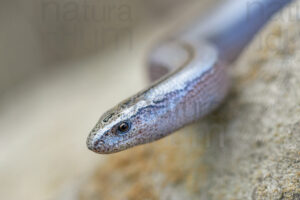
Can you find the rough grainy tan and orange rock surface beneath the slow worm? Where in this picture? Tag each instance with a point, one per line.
(247, 149)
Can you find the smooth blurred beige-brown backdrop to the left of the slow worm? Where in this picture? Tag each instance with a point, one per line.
(62, 64)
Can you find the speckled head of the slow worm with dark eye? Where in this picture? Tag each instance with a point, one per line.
(121, 128)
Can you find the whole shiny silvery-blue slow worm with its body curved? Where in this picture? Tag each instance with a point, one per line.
(190, 70)
